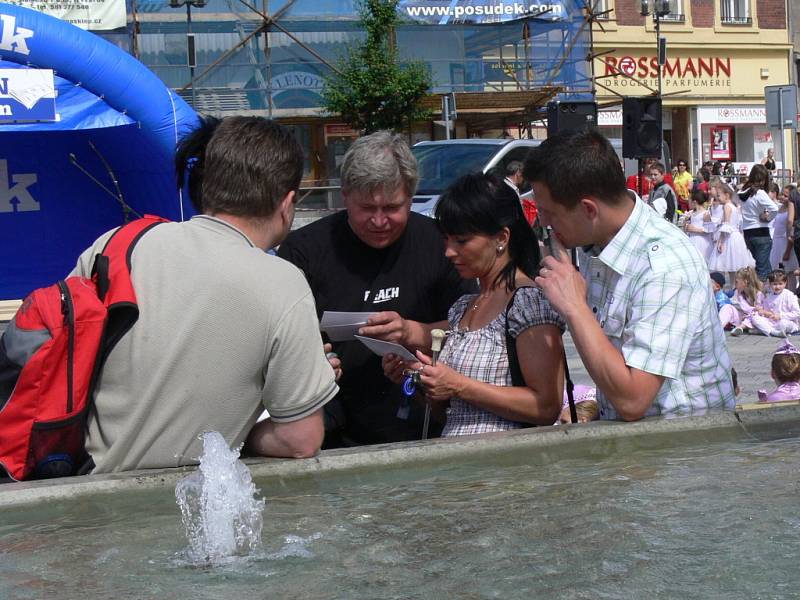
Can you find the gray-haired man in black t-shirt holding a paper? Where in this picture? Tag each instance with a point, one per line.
(379, 257)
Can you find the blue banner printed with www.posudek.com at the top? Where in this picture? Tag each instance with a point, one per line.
(443, 12)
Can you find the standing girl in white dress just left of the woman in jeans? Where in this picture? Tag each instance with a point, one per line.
(730, 252)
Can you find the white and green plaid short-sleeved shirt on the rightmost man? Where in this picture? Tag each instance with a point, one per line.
(651, 293)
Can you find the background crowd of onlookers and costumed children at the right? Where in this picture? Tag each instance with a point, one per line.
(746, 232)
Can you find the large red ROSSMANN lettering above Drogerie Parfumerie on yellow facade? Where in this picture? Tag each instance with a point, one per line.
(677, 72)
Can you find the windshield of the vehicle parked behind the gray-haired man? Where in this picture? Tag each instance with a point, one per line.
(441, 164)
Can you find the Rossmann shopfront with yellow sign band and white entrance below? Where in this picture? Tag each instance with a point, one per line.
(713, 105)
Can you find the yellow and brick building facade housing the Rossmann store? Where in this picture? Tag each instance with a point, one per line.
(720, 55)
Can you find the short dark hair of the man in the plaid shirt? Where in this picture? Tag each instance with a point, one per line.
(575, 165)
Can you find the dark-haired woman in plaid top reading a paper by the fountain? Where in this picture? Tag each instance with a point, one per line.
(502, 363)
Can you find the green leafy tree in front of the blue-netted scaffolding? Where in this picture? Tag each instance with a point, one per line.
(373, 90)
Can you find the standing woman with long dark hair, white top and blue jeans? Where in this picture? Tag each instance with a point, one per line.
(758, 209)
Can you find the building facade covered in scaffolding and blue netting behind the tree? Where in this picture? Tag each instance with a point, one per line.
(271, 60)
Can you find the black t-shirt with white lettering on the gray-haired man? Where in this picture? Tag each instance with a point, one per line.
(412, 277)
